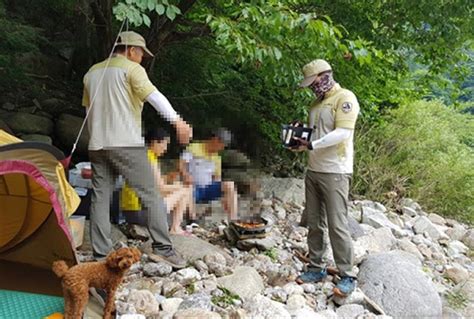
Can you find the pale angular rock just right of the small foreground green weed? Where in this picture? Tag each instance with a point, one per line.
(244, 282)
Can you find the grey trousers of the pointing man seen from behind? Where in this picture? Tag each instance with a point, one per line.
(132, 163)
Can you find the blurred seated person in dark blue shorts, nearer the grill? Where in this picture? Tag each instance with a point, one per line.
(200, 166)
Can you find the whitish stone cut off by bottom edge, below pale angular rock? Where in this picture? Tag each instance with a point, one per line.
(262, 307)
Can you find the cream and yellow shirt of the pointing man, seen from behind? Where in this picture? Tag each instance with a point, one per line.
(118, 93)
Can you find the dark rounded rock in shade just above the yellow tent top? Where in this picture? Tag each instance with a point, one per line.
(30, 124)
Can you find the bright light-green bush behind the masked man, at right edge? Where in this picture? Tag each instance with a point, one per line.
(424, 150)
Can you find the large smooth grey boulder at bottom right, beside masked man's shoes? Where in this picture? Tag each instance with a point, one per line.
(395, 281)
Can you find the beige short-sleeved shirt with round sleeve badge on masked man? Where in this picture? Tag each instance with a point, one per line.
(338, 109)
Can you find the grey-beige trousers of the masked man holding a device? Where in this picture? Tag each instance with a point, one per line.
(326, 210)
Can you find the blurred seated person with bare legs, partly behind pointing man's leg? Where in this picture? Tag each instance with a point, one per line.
(178, 197)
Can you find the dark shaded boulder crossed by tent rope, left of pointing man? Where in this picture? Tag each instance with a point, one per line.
(67, 128)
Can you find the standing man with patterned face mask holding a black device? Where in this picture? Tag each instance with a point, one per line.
(333, 115)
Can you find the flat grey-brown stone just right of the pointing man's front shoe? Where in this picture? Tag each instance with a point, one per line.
(193, 248)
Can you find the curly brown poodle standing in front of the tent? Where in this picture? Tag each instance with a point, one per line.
(106, 275)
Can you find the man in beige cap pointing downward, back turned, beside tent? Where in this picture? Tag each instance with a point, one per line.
(114, 92)
